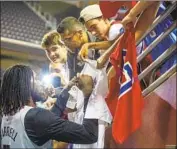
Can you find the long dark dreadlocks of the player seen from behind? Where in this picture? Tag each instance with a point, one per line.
(16, 89)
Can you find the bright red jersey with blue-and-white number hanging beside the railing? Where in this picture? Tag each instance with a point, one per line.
(128, 111)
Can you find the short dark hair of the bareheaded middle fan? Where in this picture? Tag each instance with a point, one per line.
(70, 25)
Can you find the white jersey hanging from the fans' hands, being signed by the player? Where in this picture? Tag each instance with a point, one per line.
(96, 107)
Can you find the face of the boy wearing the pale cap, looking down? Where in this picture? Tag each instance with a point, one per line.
(97, 27)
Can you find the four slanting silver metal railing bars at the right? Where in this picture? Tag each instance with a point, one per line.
(163, 57)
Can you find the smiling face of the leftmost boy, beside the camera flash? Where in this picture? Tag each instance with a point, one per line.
(57, 54)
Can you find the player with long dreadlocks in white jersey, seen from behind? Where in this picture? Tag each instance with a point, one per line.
(25, 126)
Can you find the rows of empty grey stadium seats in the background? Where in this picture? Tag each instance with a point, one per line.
(19, 22)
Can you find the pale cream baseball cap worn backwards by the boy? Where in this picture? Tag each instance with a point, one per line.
(90, 12)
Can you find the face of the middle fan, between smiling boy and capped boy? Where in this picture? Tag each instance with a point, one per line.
(74, 40)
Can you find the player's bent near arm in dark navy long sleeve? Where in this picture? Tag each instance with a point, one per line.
(42, 125)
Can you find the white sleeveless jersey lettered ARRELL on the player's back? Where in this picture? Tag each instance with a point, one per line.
(13, 132)
